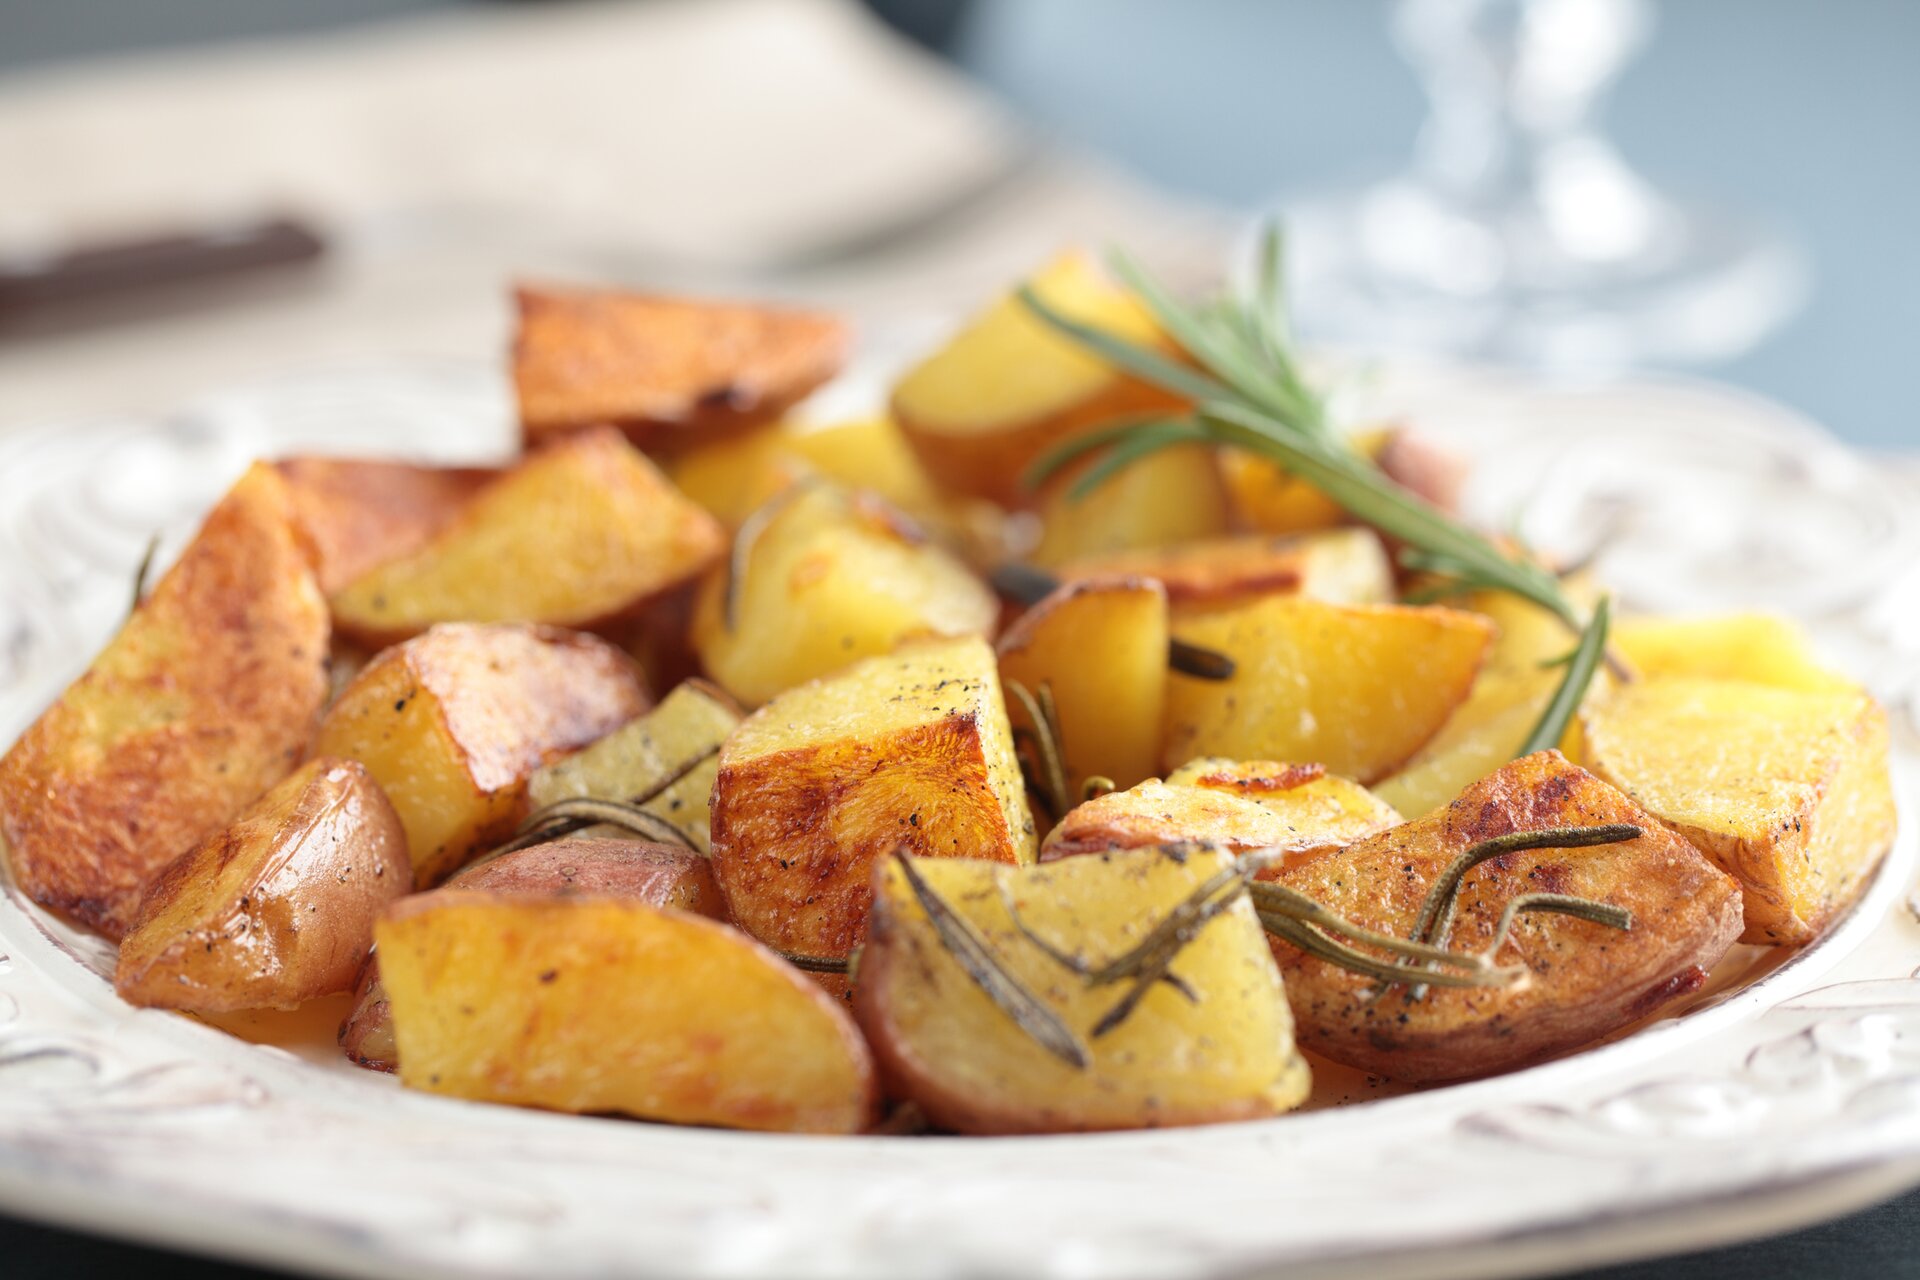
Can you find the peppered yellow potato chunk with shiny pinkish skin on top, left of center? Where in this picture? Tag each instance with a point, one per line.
(456, 721)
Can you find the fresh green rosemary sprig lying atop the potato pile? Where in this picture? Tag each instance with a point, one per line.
(1249, 394)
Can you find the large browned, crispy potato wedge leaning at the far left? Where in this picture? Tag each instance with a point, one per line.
(204, 699)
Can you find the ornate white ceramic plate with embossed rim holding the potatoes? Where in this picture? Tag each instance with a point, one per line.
(1790, 1097)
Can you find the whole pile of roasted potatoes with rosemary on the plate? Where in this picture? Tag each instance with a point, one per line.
(1086, 740)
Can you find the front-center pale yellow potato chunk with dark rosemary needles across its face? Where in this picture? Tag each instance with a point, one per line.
(1228, 1055)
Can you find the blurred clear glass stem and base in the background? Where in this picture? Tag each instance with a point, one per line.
(1520, 233)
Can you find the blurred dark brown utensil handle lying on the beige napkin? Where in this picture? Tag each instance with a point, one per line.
(110, 281)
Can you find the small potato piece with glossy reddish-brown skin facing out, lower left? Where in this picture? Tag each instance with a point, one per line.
(279, 907)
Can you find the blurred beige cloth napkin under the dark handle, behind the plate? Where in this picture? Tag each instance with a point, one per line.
(748, 147)
